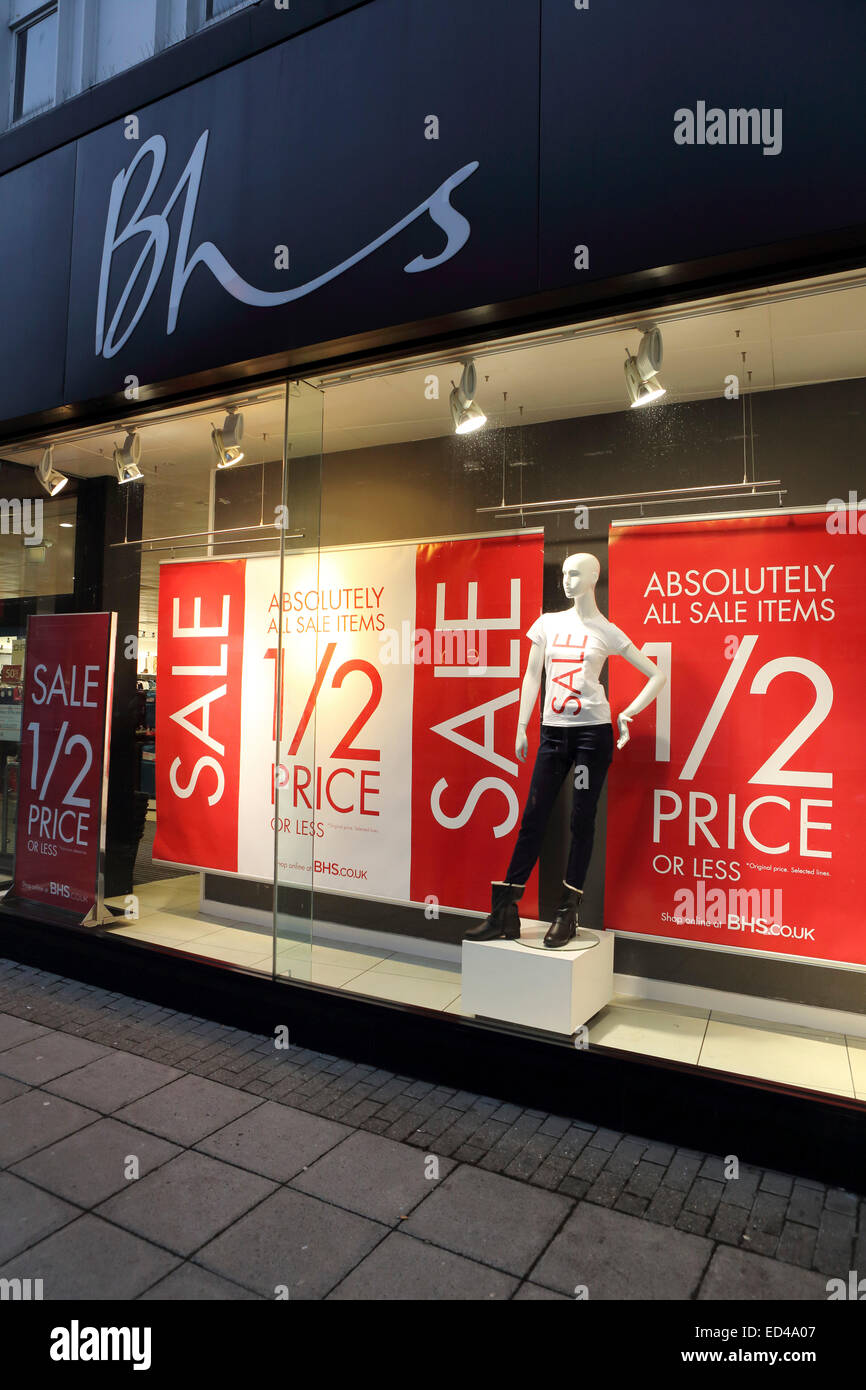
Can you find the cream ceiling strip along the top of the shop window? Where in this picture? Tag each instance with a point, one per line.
(786, 344)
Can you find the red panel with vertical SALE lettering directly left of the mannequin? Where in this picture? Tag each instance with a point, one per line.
(468, 789)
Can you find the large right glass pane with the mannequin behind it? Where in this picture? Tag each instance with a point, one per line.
(724, 858)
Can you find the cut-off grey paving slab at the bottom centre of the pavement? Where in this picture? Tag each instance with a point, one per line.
(404, 1268)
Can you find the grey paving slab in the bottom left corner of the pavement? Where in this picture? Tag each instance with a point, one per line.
(90, 1259)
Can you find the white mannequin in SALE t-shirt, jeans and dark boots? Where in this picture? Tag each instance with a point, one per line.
(571, 648)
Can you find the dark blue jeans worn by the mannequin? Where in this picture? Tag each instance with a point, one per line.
(590, 747)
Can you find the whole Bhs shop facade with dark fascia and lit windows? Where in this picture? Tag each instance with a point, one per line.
(344, 343)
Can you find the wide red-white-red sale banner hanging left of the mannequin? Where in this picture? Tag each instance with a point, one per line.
(387, 678)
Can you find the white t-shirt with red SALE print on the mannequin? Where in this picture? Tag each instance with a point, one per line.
(575, 653)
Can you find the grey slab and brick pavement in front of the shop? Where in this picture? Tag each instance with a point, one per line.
(151, 1154)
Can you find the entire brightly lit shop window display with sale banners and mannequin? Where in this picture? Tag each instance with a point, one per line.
(575, 648)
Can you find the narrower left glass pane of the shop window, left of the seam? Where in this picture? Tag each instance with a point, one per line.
(180, 514)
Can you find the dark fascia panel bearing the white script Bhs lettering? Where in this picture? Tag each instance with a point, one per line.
(311, 155)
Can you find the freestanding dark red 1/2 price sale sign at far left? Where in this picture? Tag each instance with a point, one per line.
(65, 758)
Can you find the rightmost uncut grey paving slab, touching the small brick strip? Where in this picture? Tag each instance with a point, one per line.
(490, 1218)
